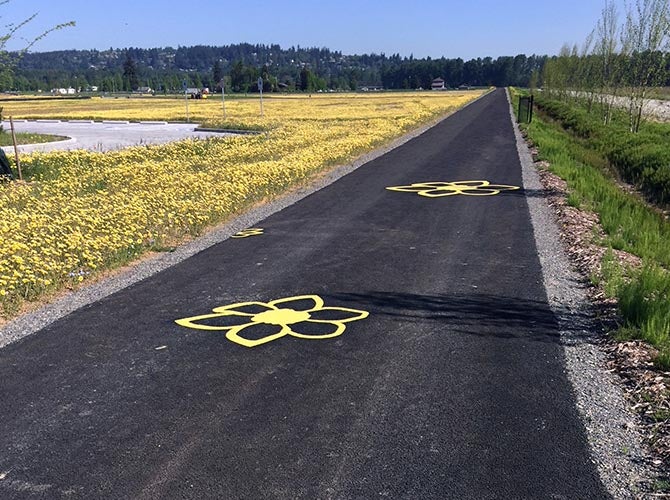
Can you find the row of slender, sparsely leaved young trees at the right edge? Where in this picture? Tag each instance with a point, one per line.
(619, 63)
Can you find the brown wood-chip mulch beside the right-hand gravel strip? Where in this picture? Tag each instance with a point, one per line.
(647, 388)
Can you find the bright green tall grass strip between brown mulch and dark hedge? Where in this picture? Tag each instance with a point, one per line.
(629, 223)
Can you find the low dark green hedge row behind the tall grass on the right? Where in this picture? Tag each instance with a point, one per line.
(642, 159)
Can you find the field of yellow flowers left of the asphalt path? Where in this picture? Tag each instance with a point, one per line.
(83, 212)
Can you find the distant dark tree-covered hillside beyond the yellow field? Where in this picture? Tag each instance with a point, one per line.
(166, 69)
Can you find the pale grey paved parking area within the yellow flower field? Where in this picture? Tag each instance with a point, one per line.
(106, 135)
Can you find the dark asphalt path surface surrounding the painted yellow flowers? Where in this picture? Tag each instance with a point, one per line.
(452, 387)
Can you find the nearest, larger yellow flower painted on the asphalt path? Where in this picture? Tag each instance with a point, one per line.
(293, 316)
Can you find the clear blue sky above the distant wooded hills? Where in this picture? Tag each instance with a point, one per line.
(464, 28)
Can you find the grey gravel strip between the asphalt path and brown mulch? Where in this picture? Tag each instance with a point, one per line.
(610, 424)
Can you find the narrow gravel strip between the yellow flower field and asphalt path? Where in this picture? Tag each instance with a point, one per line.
(34, 321)
